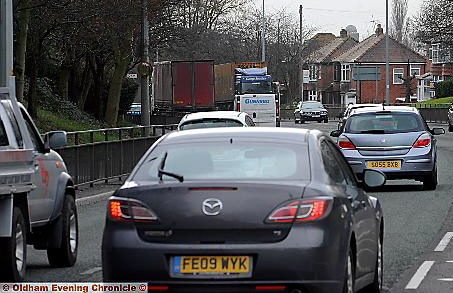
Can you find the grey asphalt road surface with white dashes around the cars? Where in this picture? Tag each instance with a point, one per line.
(416, 247)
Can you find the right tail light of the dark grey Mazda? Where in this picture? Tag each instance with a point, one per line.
(300, 211)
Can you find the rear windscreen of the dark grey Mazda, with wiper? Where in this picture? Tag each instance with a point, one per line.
(224, 160)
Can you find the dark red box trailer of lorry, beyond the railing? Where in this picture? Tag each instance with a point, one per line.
(183, 85)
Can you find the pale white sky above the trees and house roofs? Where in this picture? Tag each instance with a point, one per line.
(333, 15)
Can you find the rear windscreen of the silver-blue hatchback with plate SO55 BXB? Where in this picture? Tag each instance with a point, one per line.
(384, 123)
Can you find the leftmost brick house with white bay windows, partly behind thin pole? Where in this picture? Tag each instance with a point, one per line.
(320, 86)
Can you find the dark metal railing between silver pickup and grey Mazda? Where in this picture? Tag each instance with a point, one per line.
(100, 155)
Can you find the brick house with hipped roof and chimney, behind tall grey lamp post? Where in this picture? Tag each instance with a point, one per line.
(371, 53)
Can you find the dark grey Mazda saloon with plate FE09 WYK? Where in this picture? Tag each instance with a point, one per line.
(245, 210)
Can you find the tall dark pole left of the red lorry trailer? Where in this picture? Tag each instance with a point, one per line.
(145, 68)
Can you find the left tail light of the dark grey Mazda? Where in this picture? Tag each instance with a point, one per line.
(128, 210)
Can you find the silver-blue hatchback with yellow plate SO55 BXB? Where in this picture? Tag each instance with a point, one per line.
(395, 140)
